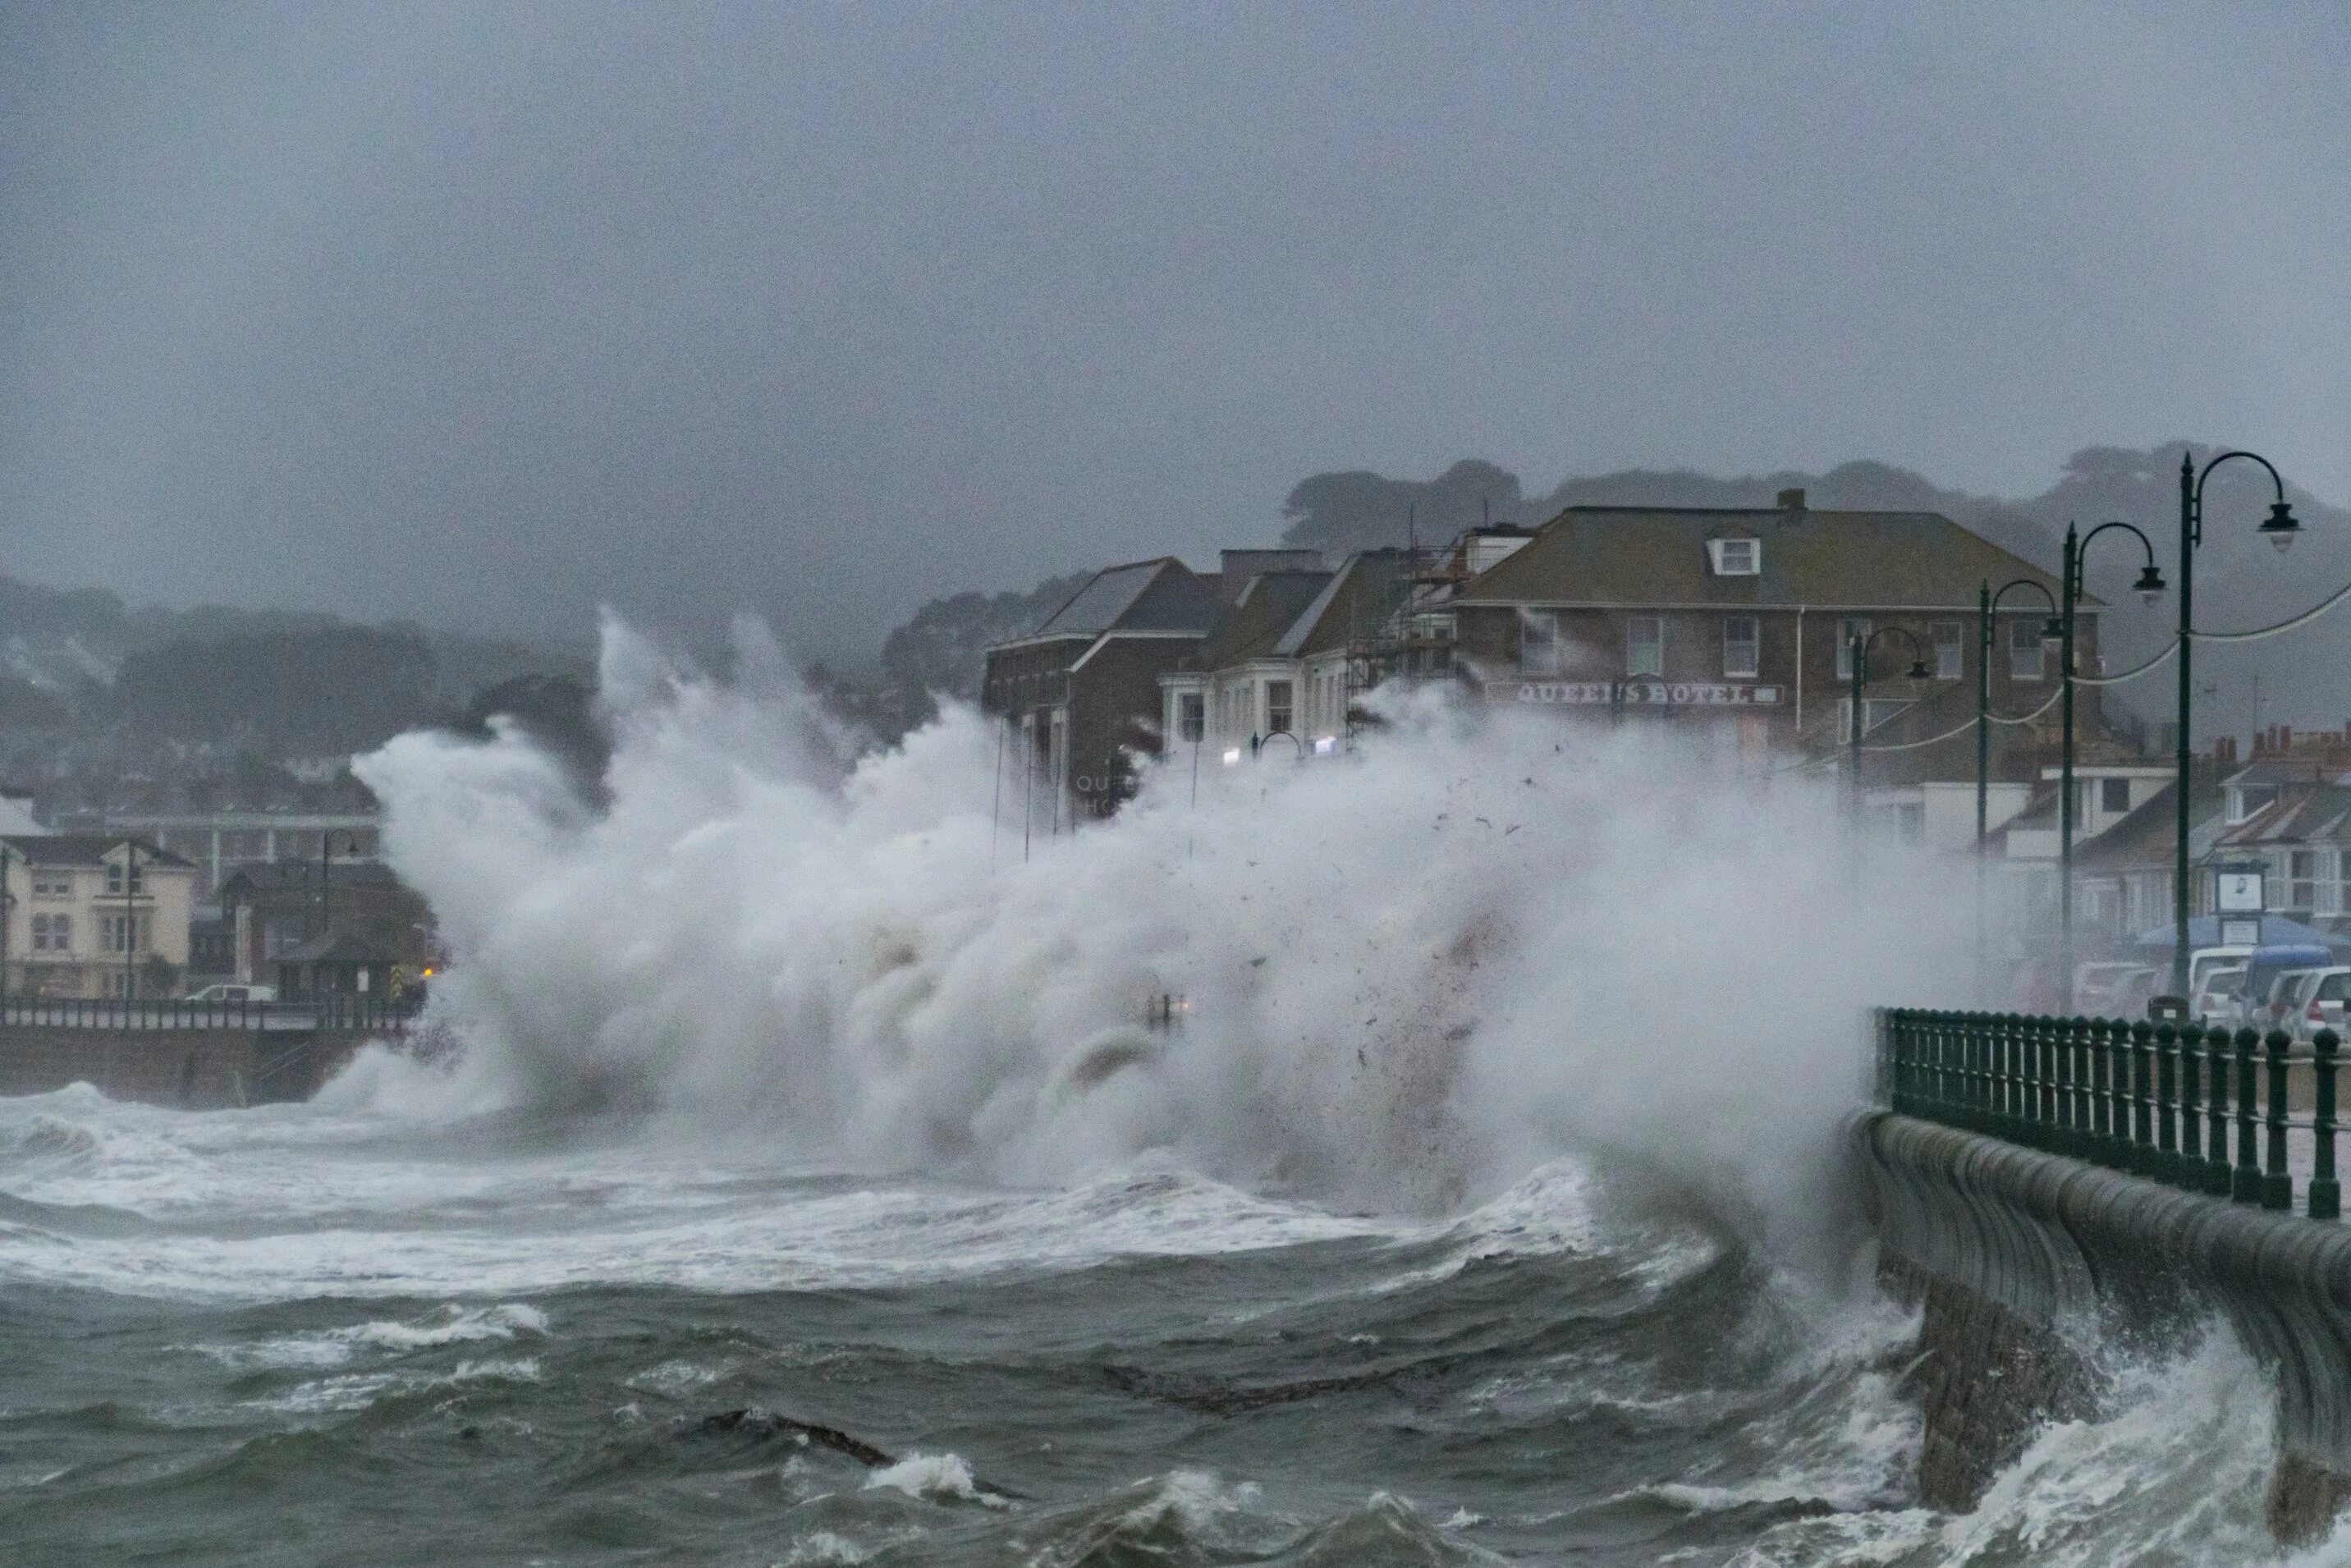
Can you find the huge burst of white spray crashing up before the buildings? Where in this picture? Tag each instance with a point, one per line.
(1412, 972)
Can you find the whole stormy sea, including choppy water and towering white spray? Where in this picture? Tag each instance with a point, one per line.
(1426, 1155)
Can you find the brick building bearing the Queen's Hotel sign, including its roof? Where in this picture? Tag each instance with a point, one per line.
(1741, 622)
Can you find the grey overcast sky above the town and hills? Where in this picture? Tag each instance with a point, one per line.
(490, 314)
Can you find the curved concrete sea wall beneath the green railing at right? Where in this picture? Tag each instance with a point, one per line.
(2030, 1264)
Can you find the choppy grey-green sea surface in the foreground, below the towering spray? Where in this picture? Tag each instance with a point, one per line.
(302, 1336)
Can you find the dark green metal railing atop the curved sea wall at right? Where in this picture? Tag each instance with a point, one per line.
(2150, 1099)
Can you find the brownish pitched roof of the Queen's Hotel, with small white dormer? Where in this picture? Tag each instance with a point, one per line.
(1659, 556)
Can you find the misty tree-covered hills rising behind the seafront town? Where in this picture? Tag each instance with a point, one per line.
(86, 662)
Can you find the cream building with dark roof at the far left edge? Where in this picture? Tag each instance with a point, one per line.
(93, 916)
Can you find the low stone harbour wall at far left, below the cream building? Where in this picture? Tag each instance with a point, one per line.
(192, 1068)
